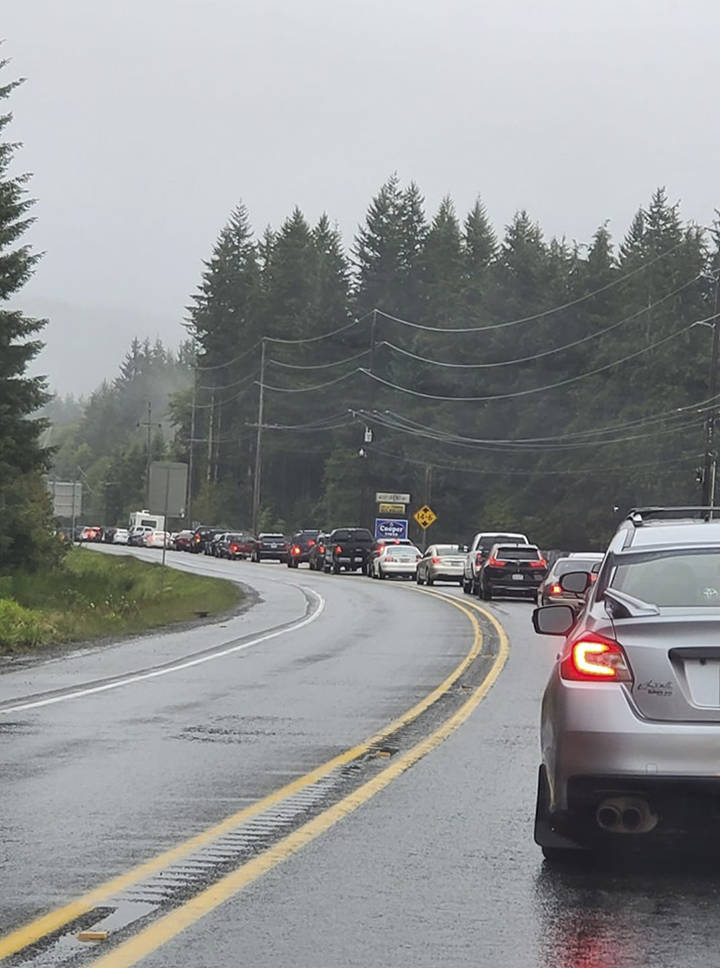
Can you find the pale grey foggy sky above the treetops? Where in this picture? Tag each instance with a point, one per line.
(145, 121)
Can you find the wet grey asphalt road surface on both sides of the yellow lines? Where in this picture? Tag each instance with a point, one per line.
(438, 869)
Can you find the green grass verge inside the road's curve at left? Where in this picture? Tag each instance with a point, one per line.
(90, 596)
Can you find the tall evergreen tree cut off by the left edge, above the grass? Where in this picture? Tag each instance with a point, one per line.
(24, 505)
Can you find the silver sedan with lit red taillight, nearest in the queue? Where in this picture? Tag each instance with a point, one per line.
(630, 725)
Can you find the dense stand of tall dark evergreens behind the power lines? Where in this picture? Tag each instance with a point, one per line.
(517, 381)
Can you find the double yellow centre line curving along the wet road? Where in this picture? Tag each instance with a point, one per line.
(165, 928)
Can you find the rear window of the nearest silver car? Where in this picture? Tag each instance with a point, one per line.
(686, 580)
